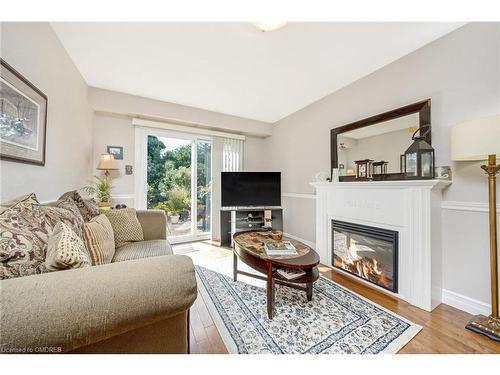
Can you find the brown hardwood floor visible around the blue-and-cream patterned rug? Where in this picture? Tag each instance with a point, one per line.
(443, 329)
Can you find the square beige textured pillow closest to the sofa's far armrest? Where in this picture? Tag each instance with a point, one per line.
(126, 226)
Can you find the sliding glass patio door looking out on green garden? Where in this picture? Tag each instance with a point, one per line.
(179, 177)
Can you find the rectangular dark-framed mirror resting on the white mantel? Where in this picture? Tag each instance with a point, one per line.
(381, 140)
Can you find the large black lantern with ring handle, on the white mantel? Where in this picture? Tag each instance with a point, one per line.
(419, 158)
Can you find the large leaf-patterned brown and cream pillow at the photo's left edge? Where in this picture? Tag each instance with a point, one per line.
(23, 239)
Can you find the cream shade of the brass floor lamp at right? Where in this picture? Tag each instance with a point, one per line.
(475, 140)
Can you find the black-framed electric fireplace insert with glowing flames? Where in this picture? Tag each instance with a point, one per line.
(367, 252)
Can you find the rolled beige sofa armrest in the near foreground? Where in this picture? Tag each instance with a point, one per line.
(75, 308)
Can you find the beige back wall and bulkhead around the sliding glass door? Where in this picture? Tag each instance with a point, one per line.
(114, 127)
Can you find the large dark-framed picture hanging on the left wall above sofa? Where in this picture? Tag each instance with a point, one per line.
(23, 118)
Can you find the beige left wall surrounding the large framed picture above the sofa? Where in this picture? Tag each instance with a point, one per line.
(35, 51)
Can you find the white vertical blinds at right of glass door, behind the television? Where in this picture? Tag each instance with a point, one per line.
(227, 156)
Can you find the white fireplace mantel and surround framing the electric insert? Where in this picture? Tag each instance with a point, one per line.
(412, 208)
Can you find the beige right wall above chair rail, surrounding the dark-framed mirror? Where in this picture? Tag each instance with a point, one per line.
(459, 72)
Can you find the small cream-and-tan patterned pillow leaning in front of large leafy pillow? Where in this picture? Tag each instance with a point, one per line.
(65, 249)
